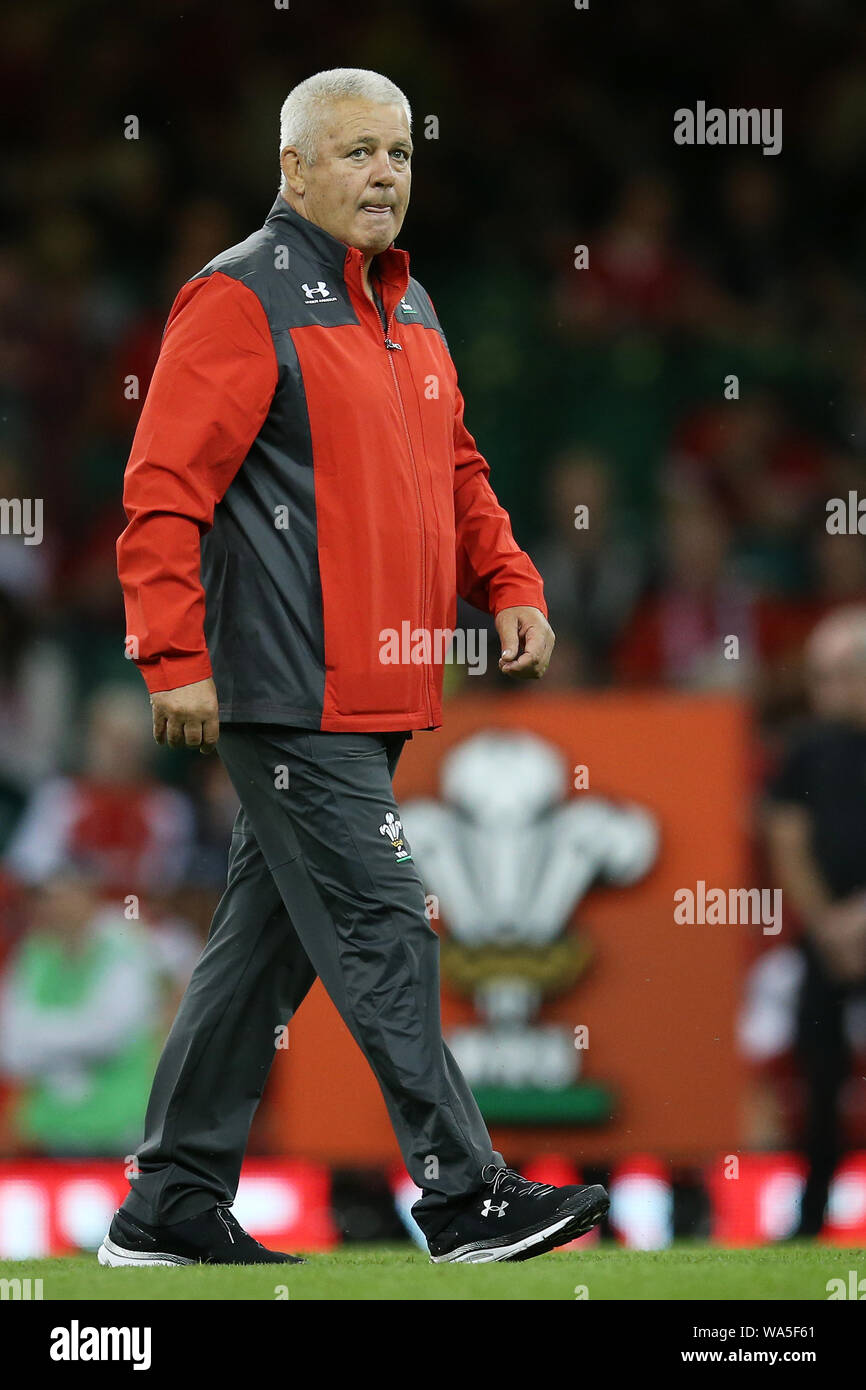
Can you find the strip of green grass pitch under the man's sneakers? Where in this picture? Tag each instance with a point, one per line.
(389, 1274)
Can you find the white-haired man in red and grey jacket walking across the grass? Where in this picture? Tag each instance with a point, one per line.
(301, 486)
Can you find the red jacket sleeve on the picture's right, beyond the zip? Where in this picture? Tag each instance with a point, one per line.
(493, 572)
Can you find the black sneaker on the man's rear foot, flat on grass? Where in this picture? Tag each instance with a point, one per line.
(215, 1238)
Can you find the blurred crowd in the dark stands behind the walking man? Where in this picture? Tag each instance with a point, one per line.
(698, 389)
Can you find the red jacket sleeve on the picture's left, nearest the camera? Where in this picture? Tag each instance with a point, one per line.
(209, 397)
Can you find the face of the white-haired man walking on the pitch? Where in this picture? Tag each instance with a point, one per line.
(359, 187)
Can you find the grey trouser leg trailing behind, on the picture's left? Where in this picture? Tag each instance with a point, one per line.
(251, 979)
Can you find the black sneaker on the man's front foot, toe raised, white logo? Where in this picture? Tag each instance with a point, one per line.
(515, 1220)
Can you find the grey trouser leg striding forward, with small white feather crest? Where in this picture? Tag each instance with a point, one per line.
(319, 806)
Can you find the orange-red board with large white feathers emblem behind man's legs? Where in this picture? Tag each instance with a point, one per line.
(553, 833)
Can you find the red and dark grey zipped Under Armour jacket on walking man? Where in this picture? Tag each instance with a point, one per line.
(302, 483)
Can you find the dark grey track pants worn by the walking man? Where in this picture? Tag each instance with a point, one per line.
(313, 890)
